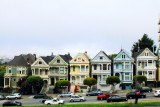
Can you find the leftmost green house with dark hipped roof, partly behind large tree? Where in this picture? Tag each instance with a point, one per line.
(18, 68)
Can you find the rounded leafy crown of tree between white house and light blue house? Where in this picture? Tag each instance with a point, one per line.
(112, 80)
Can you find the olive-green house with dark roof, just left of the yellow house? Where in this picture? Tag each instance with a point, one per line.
(59, 68)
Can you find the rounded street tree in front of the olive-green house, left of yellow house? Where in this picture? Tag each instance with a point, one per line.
(62, 84)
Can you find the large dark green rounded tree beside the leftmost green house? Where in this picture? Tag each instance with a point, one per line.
(34, 84)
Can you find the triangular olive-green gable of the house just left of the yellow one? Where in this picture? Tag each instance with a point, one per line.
(58, 61)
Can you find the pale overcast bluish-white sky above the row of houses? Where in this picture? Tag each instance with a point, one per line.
(61, 26)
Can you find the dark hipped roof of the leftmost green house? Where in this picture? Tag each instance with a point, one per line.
(22, 60)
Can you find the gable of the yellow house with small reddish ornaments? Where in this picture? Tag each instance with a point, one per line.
(80, 58)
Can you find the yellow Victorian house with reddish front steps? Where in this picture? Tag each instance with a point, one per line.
(79, 70)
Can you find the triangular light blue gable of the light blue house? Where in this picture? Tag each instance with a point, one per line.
(123, 55)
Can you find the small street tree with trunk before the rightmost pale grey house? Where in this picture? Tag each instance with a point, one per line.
(138, 80)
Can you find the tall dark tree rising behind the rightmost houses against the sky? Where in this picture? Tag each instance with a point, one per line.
(143, 43)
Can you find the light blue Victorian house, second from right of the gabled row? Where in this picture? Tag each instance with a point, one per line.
(123, 68)
